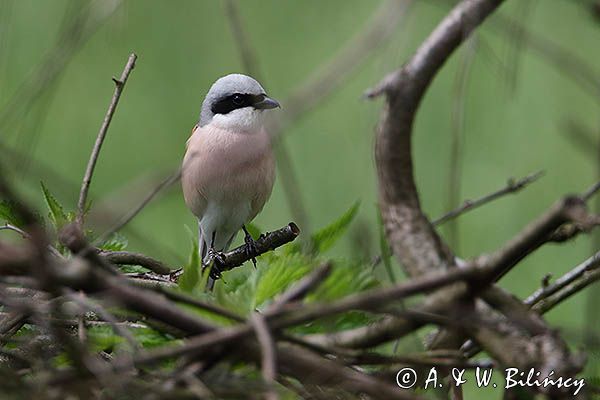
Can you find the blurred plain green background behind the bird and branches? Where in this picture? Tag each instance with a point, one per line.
(516, 106)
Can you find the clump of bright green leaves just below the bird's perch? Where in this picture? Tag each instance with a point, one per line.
(246, 289)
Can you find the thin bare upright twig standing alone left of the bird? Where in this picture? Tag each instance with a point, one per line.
(87, 178)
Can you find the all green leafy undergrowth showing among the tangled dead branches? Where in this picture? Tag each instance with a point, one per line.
(242, 290)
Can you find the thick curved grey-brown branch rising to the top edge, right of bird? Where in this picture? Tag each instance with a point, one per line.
(410, 233)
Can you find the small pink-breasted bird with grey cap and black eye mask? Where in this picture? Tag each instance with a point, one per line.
(228, 168)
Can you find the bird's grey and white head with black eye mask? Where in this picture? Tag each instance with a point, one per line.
(236, 102)
